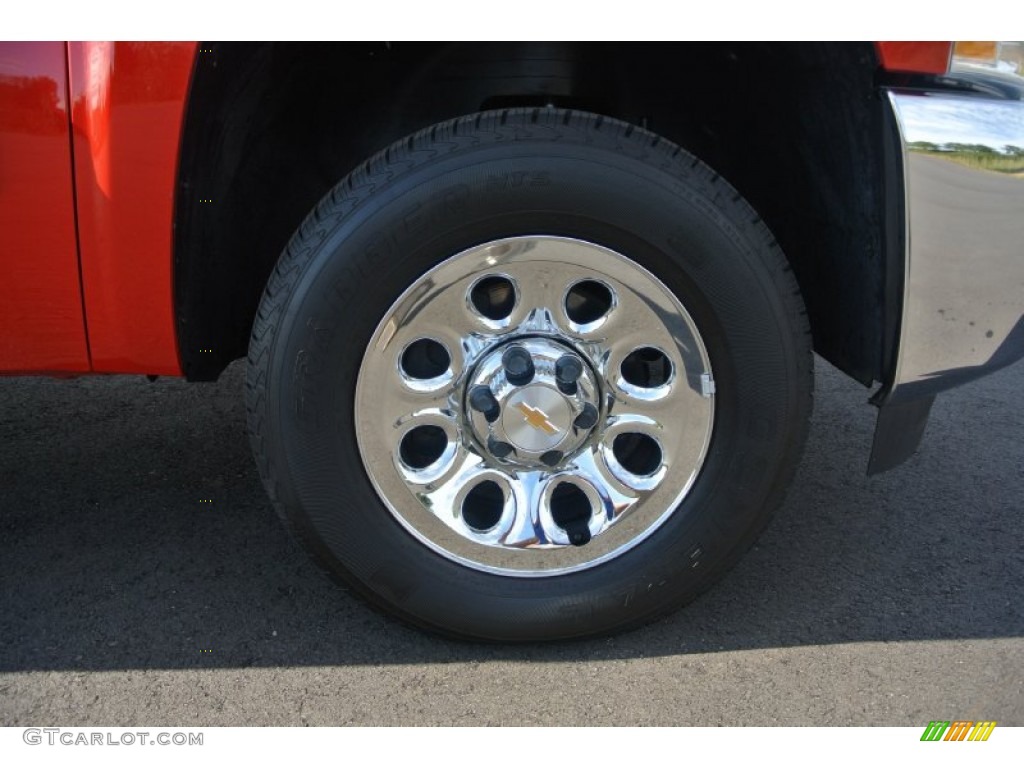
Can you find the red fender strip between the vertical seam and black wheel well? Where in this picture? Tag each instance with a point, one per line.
(129, 104)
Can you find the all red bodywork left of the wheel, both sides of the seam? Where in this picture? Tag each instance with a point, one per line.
(116, 154)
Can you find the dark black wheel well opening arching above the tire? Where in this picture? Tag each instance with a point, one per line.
(271, 129)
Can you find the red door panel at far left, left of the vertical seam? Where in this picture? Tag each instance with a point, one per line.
(41, 321)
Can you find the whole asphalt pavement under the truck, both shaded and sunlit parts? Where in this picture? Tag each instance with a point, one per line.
(145, 579)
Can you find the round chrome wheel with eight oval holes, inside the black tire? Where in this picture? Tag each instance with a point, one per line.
(535, 406)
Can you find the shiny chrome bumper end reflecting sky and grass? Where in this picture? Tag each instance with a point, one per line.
(963, 312)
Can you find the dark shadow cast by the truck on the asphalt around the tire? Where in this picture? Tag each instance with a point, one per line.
(111, 561)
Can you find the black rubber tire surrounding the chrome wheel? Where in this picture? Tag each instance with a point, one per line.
(497, 176)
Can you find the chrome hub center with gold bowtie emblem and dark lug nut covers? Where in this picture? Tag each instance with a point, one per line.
(533, 403)
